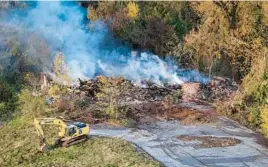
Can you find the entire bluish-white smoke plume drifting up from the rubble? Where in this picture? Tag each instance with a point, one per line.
(91, 52)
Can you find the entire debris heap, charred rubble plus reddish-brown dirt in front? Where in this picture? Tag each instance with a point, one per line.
(151, 101)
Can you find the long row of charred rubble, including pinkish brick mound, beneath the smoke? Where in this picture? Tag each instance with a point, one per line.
(219, 88)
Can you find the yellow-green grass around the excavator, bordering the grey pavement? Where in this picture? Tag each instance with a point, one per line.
(19, 146)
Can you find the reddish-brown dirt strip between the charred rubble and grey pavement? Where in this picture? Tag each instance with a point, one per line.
(186, 113)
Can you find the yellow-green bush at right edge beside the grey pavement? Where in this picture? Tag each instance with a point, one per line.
(249, 105)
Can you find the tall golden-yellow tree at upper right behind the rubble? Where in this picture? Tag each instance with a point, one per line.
(230, 30)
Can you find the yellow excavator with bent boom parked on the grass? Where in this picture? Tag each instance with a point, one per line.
(69, 132)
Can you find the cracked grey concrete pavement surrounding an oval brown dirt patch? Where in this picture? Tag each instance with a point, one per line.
(159, 140)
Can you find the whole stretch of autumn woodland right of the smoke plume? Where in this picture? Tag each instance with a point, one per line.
(223, 38)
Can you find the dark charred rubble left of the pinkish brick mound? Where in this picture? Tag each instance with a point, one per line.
(147, 92)
